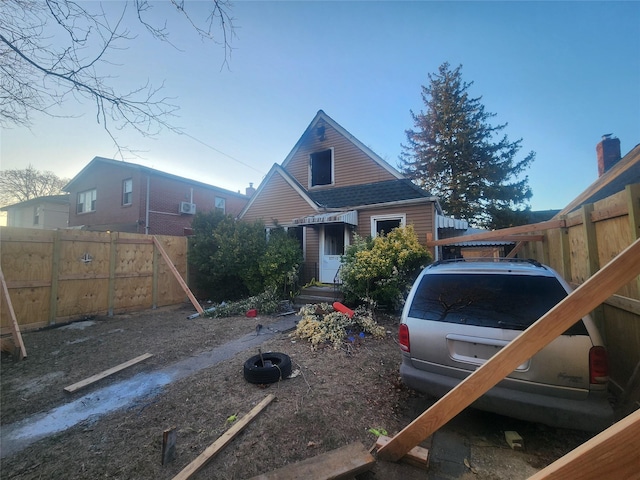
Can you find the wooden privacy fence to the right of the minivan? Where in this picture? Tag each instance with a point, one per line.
(590, 237)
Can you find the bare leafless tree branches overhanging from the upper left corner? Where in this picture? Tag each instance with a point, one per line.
(53, 50)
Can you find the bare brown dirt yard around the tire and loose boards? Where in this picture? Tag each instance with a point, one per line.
(333, 399)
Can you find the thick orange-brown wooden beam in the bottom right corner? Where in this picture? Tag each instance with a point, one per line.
(610, 454)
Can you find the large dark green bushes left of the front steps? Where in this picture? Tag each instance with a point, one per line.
(234, 260)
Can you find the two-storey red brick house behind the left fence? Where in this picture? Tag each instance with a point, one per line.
(111, 195)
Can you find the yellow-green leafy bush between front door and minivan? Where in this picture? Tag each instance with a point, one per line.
(380, 271)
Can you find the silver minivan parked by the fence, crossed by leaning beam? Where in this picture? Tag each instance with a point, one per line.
(460, 313)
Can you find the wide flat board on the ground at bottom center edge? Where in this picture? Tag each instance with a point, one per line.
(342, 463)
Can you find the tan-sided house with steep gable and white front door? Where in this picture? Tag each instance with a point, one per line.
(330, 187)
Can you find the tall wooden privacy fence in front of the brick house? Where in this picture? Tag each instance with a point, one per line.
(55, 276)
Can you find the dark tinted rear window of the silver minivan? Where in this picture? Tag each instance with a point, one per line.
(511, 302)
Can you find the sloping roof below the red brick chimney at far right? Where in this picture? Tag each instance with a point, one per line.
(614, 180)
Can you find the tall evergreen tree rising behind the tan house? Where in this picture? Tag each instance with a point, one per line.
(453, 154)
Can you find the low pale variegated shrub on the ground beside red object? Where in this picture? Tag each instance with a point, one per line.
(321, 325)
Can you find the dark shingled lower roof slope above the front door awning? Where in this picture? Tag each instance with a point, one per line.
(368, 194)
